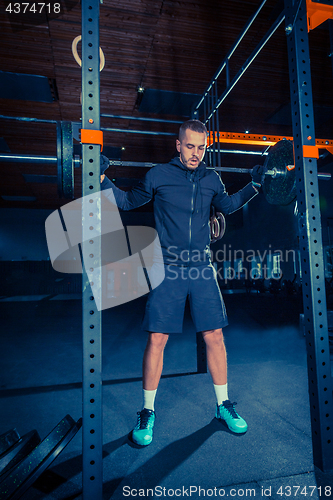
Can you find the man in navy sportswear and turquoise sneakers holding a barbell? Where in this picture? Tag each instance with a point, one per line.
(183, 192)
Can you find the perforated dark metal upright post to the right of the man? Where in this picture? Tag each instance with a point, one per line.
(310, 235)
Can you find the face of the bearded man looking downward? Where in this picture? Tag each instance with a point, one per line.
(192, 148)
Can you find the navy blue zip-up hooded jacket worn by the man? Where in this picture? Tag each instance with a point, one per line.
(182, 200)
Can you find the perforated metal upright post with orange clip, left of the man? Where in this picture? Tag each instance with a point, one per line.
(91, 253)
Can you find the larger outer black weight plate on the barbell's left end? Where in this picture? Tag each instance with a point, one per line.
(67, 160)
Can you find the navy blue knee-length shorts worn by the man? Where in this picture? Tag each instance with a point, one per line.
(166, 303)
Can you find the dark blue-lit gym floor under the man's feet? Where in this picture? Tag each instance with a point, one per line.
(40, 383)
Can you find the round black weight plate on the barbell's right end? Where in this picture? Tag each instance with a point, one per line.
(281, 189)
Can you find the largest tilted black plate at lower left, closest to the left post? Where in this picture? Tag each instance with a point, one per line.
(28, 470)
